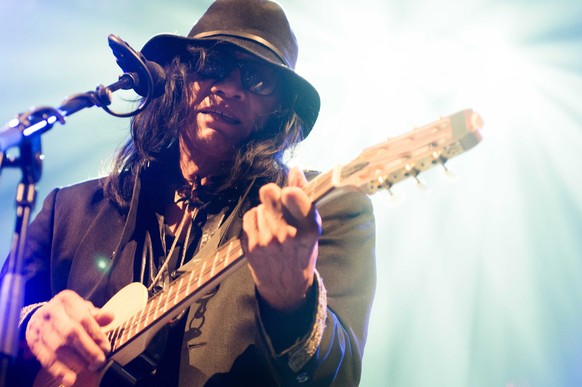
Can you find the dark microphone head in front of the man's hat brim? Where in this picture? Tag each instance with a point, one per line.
(139, 68)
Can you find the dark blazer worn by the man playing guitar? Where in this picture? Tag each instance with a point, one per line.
(80, 241)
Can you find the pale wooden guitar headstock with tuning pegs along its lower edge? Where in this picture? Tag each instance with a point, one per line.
(385, 164)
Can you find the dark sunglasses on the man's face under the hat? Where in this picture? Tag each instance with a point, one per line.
(256, 77)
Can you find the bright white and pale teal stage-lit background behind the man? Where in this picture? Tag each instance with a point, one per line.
(479, 278)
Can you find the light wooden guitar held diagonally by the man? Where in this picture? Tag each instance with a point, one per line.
(138, 319)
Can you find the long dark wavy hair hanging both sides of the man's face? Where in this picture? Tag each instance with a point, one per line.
(154, 138)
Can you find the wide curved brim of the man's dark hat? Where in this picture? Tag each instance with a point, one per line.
(162, 48)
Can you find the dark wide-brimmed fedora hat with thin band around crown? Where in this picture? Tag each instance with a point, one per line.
(259, 27)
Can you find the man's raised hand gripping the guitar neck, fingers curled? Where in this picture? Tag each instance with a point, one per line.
(280, 242)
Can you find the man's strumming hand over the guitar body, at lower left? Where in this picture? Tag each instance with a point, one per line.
(66, 337)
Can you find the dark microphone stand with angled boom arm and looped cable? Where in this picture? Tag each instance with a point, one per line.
(25, 132)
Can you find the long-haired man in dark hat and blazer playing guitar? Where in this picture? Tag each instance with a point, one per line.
(207, 151)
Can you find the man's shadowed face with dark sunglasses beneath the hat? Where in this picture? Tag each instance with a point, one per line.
(227, 107)
